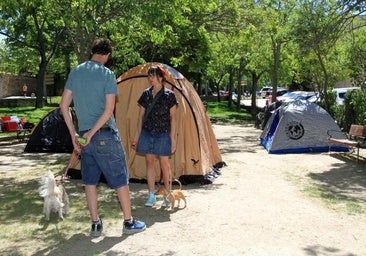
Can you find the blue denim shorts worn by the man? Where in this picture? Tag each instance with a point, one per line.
(104, 154)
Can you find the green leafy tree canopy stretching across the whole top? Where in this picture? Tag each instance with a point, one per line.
(307, 43)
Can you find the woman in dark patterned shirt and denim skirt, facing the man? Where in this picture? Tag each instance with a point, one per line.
(156, 133)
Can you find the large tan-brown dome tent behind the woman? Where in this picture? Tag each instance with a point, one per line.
(197, 149)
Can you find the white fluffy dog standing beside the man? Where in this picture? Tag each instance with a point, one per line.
(55, 196)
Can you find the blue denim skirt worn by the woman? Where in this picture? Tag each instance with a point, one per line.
(159, 144)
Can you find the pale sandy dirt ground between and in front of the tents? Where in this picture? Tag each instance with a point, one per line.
(258, 206)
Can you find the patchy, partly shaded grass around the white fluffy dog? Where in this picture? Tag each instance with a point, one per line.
(24, 231)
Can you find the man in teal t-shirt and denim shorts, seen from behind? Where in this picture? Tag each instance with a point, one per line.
(93, 89)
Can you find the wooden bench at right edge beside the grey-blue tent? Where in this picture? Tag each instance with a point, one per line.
(356, 137)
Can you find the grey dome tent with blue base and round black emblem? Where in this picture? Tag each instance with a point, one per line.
(300, 127)
